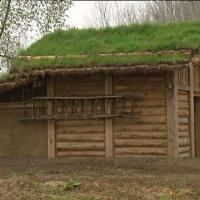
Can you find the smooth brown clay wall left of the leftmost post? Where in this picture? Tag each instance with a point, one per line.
(21, 138)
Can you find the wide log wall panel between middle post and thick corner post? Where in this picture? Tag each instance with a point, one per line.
(146, 134)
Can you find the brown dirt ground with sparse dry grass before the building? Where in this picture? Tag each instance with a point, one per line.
(100, 179)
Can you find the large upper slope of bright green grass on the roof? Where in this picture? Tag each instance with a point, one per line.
(118, 39)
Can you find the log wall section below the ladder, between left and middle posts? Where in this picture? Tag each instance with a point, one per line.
(80, 138)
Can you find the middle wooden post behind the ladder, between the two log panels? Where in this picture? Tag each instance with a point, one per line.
(109, 121)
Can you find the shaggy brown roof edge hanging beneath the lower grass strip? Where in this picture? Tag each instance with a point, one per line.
(18, 79)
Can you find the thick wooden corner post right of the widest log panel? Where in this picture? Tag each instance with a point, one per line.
(172, 114)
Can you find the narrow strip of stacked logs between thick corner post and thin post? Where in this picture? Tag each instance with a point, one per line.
(184, 143)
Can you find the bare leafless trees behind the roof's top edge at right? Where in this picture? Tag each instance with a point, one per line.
(119, 13)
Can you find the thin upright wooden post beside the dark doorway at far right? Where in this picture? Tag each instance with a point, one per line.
(191, 97)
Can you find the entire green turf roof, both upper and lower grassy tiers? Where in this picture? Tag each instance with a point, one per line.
(111, 40)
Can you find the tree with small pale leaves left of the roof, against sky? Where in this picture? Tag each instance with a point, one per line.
(19, 16)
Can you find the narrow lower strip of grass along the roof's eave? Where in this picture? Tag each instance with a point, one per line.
(93, 60)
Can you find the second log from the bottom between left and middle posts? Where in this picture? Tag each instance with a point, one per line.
(80, 146)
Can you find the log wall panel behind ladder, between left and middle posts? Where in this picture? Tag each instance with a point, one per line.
(80, 137)
